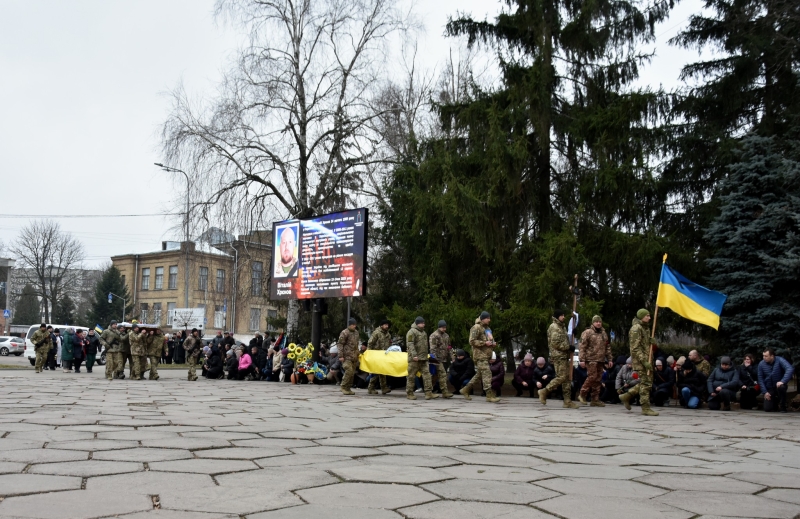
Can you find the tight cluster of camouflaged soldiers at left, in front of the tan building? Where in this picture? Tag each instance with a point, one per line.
(135, 346)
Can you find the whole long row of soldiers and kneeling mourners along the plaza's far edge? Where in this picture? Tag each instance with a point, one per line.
(644, 378)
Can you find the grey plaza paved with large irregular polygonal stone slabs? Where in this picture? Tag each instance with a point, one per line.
(77, 446)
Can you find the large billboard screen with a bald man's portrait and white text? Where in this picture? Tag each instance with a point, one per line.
(324, 256)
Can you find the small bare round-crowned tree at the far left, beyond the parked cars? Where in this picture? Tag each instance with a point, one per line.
(49, 260)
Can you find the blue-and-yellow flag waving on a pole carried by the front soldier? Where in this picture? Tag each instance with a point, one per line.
(688, 299)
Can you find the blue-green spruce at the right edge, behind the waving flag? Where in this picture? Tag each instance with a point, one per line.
(757, 251)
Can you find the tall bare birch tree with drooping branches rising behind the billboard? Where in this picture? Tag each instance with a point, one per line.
(292, 130)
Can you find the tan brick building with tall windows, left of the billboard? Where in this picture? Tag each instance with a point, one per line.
(227, 280)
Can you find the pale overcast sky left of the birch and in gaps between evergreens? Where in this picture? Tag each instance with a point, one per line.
(82, 96)
